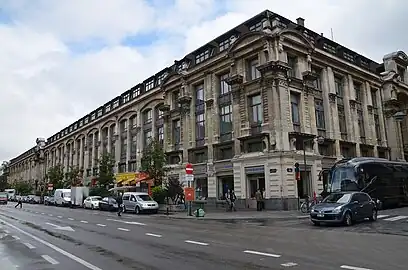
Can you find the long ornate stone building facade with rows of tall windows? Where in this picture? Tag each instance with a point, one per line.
(242, 109)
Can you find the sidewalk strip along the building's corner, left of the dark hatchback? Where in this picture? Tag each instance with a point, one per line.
(244, 216)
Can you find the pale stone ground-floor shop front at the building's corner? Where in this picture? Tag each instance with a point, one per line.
(272, 174)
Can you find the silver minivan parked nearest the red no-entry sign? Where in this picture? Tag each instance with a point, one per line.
(139, 202)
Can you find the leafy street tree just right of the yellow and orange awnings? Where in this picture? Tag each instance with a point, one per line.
(154, 162)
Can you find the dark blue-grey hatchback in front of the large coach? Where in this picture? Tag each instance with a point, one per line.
(344, 207)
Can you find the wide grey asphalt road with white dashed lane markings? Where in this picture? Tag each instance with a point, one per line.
(63, 238)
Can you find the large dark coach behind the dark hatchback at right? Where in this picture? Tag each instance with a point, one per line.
(384, 180)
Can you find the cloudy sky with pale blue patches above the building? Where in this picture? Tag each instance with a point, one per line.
(61, 59)
